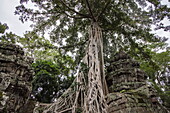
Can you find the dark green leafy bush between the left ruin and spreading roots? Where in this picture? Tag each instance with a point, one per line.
(54, 73)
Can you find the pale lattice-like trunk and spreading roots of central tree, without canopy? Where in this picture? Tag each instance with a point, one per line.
(88, 94)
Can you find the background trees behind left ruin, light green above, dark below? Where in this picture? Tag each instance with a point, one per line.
(52, 69)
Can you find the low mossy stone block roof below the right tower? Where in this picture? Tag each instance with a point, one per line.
(133, 102)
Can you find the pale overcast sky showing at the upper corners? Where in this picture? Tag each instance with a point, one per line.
(7, 8)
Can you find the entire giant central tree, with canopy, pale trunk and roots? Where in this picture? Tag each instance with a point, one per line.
(125, 24)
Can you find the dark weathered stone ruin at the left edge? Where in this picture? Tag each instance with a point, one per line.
(15, 78)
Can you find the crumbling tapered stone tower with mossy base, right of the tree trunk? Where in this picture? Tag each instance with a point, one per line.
(128, 90)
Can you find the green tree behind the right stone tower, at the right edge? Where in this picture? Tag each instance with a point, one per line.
(155, 63)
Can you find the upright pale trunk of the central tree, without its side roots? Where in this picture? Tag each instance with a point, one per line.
(97, 89)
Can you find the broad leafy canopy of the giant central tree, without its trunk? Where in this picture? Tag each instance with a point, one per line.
(124, 22)
